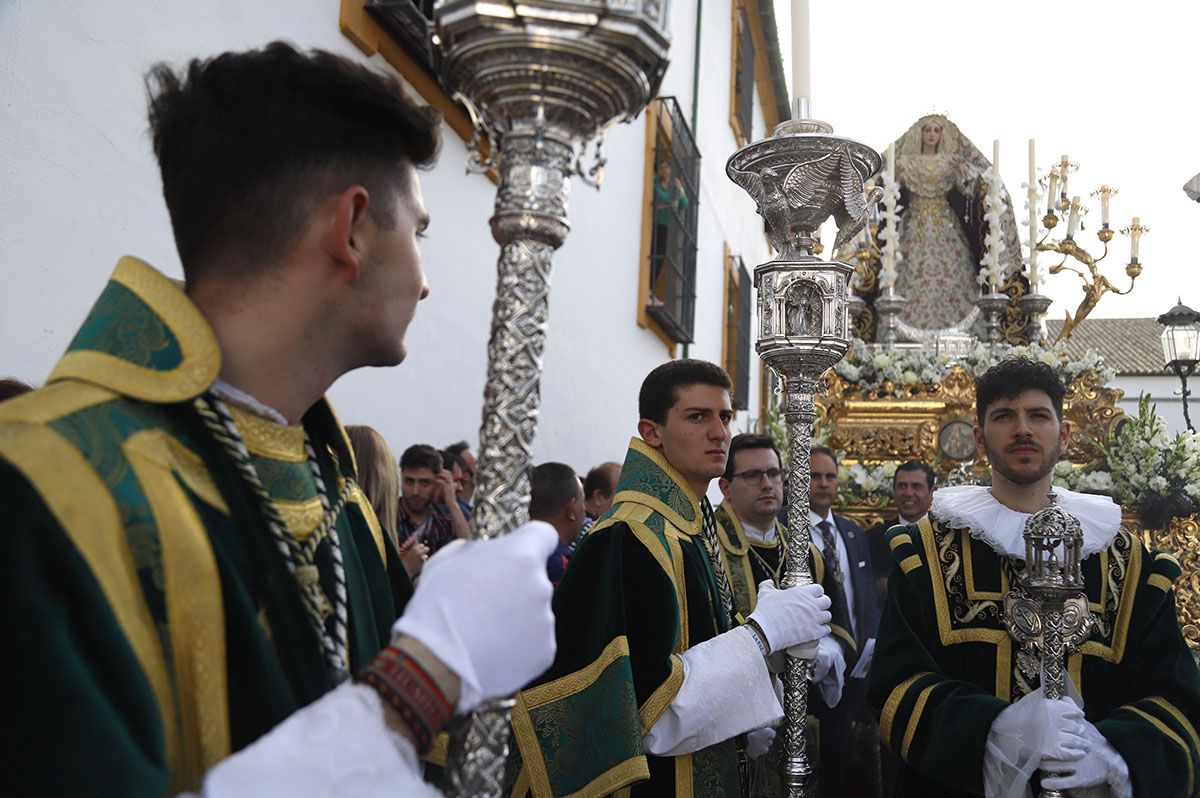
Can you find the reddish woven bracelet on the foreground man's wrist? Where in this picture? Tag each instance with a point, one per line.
(411, 692)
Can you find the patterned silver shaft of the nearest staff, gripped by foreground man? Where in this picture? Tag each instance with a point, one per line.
(530, 224)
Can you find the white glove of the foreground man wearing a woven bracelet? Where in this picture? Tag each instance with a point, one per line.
(483, 608)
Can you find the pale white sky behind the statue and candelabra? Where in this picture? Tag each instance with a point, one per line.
(1108, 83)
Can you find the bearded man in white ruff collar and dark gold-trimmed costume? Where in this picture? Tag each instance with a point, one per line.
(959, 703)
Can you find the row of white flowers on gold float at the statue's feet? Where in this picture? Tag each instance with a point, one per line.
(898, 373)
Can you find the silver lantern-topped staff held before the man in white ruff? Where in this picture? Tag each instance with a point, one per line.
(1048, 613)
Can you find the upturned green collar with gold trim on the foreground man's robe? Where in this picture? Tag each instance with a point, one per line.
(143, 339)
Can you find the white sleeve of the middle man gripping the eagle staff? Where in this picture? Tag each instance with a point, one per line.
(727, 692)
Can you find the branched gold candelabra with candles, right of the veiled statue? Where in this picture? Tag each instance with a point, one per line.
(1076, 259)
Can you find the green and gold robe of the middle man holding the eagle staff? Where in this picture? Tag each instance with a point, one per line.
(639, 592)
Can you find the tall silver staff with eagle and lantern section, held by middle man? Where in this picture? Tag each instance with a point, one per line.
(801, 177)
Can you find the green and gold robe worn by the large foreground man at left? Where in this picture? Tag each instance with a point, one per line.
(153, 627)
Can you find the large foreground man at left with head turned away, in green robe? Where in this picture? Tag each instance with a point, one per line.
(193, 573)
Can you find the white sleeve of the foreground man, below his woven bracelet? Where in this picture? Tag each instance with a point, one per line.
(338, 746)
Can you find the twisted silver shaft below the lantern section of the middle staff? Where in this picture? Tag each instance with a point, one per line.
(800, 413)
